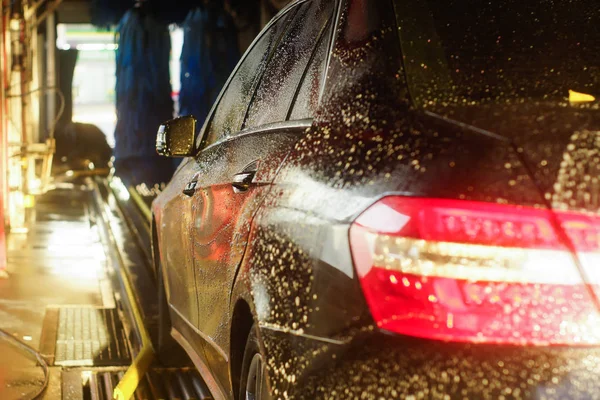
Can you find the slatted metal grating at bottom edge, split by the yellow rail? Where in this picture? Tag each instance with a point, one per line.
(158, 384)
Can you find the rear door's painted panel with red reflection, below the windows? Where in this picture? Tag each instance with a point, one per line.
(222, 224)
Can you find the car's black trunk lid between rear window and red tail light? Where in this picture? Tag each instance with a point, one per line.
(549, 137)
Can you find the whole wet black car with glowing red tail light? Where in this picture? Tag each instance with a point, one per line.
(393, 199)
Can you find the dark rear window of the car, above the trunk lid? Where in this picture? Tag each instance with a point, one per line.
(500, 50)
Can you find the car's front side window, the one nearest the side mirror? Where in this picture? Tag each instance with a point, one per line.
(232, 107)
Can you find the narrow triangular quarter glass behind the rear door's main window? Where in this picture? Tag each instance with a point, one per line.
(307, 97)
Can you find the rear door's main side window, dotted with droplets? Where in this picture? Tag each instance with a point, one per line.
(284, 72)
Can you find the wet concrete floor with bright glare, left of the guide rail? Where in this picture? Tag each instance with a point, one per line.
(59, 262)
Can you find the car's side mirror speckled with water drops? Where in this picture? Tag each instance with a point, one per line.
(176, 138)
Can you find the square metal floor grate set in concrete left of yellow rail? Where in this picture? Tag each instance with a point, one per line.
(89, 336)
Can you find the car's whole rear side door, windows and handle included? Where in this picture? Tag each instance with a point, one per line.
(235, 170)
